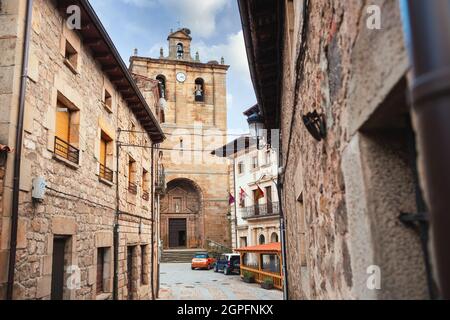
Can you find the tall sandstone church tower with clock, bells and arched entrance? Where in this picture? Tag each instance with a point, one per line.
(195, 207)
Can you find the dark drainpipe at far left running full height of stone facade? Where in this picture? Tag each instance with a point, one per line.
(18, 153)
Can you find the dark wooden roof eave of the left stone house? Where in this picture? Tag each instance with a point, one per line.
(104, 51)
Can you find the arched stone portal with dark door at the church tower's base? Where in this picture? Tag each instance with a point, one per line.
(182, 219)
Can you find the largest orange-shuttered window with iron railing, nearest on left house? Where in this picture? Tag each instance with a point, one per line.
(66, 131)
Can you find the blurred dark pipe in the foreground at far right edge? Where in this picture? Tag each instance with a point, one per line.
(427, 28)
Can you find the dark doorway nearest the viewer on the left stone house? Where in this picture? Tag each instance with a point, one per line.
(59, 250)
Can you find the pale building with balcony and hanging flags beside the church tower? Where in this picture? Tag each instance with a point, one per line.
(255, 218)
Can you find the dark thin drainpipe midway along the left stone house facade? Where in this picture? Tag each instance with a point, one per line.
(116, 223)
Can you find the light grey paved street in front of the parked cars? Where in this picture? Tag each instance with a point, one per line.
(179, 282)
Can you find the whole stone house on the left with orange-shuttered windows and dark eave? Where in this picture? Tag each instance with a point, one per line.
(93, 233)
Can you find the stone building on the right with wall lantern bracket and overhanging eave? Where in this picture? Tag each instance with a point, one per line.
(337, 90)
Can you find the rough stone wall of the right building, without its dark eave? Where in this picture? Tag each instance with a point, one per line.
(345, 71)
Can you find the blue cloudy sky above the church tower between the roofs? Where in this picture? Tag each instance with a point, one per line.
(216, 31)
